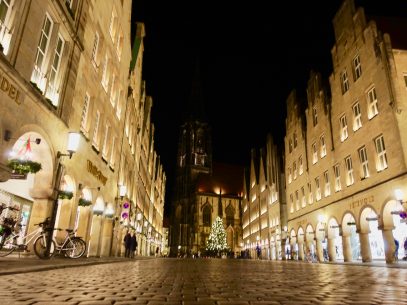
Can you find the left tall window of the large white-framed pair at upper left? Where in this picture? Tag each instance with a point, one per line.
(38, 75)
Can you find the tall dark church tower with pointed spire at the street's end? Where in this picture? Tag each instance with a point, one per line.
(194, 157)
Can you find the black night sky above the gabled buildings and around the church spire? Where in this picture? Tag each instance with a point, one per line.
(252, 54)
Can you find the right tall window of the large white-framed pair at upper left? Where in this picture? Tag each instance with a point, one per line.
(54, 74)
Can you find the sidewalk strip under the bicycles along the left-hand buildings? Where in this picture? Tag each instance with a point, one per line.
(13, 264)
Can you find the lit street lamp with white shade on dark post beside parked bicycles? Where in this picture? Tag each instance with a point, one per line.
(72, 147)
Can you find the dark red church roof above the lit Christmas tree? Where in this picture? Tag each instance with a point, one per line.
(226, 178)
